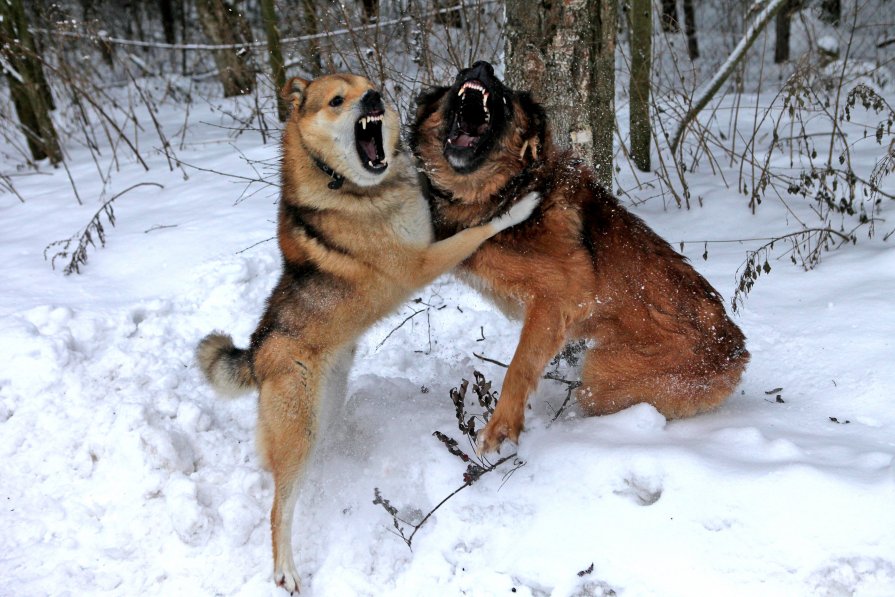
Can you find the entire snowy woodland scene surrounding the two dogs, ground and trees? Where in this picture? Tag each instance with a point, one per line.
(138, 185)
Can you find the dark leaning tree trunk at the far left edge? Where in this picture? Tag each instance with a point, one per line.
(27, 84)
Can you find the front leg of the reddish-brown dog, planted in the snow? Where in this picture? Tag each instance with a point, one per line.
(543, 335)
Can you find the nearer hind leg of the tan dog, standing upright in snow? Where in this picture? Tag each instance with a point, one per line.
(287, 430)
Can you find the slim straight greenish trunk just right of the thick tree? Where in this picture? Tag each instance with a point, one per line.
(641, 60)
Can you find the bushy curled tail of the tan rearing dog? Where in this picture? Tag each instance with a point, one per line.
(225, 367)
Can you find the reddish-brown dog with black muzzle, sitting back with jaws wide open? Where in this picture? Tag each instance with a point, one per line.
(582, 267)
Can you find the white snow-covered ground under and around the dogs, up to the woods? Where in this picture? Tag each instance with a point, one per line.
(123, 474)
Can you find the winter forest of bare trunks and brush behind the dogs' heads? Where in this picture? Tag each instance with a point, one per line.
(86, 74)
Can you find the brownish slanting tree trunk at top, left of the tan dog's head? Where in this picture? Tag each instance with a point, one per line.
(223, 25)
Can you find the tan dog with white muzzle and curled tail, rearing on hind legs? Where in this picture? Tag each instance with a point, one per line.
(356, 238)
